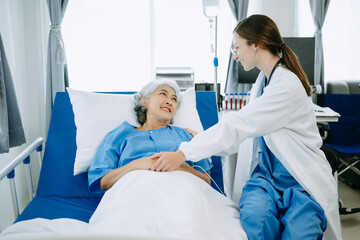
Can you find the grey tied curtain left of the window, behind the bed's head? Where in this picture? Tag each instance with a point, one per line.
(57, 74)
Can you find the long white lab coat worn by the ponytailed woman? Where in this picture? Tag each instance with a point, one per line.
(284, 115)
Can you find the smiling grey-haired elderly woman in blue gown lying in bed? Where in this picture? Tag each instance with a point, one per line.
(127, 148)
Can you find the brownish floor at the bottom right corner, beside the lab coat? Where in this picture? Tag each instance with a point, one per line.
(350, 224)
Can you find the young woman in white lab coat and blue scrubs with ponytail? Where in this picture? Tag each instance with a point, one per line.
(290, 192)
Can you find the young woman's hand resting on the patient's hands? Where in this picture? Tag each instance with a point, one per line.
(168, 161)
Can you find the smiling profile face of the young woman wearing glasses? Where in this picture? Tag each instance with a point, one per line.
(243, 52)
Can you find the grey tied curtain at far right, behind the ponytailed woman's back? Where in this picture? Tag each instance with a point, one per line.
(318, 10)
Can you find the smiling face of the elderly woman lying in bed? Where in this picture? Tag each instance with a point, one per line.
(162, 104)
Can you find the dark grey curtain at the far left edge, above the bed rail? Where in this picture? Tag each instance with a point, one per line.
(11, 128)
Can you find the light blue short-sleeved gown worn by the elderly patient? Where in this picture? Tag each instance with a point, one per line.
(125, 144)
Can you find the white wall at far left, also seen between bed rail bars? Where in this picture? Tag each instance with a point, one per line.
(22, 36)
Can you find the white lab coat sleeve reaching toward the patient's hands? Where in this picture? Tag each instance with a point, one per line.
(260, 117)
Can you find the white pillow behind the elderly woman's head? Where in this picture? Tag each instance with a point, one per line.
(96, 114)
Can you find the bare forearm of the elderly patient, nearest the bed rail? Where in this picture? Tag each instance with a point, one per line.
(109, 179)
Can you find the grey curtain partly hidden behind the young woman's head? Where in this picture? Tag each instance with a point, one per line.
(239, 9)
